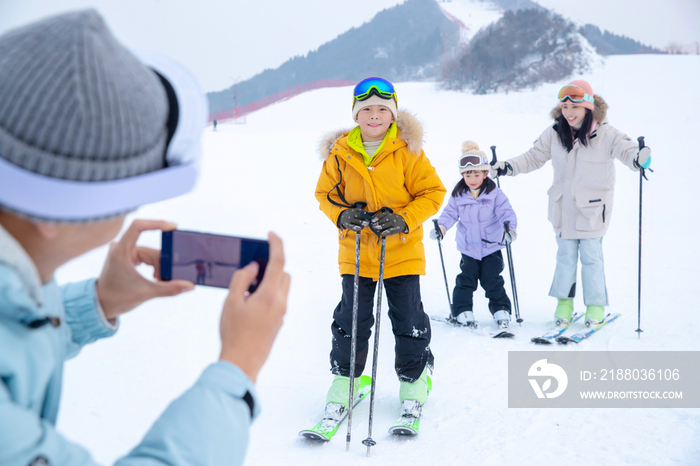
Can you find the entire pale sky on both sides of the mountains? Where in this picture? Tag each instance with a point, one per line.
(223, 40)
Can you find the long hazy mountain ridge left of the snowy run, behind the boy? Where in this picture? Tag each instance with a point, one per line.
(403, 43)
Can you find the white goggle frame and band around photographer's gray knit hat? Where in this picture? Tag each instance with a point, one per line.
(67, 200)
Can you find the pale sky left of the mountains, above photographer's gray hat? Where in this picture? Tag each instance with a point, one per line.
(220, 40)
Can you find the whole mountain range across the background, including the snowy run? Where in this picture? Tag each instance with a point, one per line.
(521, 44)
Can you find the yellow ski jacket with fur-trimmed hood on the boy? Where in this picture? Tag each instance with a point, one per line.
(400, 177)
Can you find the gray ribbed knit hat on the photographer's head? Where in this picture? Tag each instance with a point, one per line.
(76, 105)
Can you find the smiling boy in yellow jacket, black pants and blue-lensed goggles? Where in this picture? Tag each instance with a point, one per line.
(381, 163)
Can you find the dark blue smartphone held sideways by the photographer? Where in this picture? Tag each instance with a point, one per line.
(208, 259)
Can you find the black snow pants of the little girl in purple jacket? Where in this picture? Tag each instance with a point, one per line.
(488, 272)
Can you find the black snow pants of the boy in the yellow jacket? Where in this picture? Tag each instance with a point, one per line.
(411, 326)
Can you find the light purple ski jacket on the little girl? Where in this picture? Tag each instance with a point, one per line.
(479, 221)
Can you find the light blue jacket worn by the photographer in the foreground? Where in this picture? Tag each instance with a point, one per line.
(41, 326)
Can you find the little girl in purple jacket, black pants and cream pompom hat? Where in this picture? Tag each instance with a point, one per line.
(480, 210)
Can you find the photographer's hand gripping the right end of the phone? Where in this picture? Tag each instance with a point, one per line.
(250, 321)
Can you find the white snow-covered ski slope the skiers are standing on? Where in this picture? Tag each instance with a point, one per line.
(261, 176)
